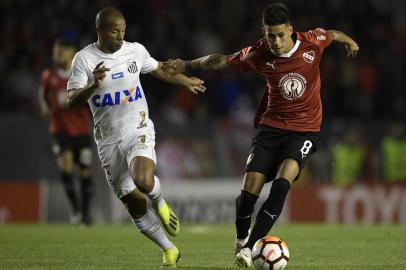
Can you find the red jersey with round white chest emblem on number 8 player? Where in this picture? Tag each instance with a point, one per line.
(291, 100)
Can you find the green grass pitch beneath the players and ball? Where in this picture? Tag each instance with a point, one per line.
(58, 246)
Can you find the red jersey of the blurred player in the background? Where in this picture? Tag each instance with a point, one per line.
(63, 120)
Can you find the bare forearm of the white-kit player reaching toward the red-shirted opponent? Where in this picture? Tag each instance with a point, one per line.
(164, 73)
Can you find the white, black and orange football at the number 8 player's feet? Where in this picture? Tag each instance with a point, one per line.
(271, 253)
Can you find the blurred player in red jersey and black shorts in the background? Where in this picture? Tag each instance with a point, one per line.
(70, 130)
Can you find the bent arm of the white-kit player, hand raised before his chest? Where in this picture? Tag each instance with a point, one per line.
(81, 95)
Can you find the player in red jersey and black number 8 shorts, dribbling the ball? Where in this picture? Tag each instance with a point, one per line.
(288, 118)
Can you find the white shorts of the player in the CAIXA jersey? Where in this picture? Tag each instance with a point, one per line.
(116, 159)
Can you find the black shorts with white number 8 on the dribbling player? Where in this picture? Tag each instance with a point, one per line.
(271, 146)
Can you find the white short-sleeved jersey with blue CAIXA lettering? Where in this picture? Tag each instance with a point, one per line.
(118, 106)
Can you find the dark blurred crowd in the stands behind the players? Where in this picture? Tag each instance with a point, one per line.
(364, 99)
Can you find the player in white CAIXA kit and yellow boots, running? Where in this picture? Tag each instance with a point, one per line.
(106, 74)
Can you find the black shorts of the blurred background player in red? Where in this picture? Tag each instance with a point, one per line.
(79, 145)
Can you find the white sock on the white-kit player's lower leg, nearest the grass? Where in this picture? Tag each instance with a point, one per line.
(151, 228)
